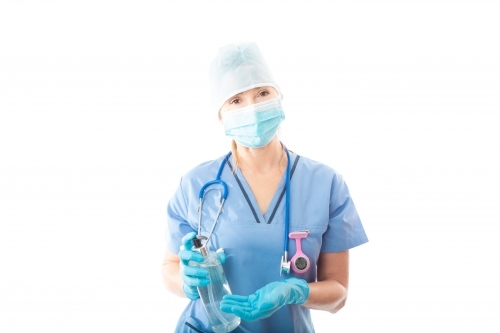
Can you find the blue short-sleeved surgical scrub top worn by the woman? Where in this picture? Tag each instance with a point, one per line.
(254, 243)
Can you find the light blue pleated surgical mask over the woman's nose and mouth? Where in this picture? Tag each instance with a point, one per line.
(254, 126)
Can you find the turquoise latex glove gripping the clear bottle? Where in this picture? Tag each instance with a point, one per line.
(194, 276)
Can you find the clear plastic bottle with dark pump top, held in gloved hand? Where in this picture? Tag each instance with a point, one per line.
(212, 294)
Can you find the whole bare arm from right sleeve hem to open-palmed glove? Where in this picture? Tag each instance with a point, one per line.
(330, 292)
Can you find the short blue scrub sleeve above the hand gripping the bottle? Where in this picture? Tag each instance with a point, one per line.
(177, 225)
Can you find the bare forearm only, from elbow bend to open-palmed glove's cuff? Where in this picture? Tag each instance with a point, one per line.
(327, 295)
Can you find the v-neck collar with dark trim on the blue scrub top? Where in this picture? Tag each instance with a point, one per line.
(250, 198)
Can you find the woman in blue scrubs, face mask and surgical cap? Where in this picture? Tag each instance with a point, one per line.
(253, 223)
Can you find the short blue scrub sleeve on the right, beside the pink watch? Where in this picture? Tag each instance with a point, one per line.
(344, 230)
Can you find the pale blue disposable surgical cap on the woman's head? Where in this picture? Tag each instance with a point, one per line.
(238, 68)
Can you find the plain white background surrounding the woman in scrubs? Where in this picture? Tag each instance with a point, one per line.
(104, 105)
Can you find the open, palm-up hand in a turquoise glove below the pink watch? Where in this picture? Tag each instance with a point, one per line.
(266, 300)
